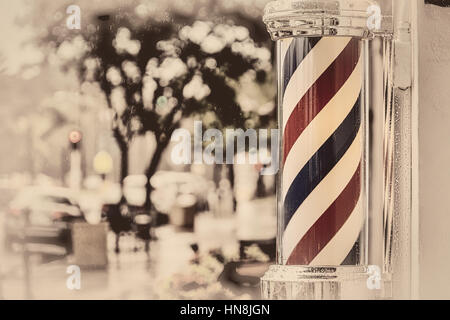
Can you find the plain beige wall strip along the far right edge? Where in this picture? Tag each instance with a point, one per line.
(434, 150)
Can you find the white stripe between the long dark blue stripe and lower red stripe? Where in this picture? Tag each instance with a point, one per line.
(322, 197)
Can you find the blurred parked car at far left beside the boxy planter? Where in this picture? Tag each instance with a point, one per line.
(43, 216)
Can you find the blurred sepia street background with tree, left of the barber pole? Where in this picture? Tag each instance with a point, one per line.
(92, 178)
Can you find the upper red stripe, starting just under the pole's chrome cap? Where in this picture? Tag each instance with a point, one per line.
(320, 93)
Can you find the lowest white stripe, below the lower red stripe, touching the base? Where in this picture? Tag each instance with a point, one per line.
(342, 243)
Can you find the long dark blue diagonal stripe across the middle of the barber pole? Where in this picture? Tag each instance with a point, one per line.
(320, 165)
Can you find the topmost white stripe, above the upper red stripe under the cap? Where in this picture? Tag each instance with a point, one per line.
(311, 68)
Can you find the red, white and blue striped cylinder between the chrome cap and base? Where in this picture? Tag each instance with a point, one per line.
(321, 187)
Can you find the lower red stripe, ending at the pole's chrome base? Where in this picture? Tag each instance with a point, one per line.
(328, 225)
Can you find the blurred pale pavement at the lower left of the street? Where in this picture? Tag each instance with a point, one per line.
(129, 275)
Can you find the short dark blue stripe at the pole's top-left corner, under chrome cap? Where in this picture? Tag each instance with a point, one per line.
(298, 50)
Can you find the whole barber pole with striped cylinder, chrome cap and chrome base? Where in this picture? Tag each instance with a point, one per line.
(335, 95)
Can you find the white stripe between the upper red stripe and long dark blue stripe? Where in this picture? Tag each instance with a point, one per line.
(322, 127)
